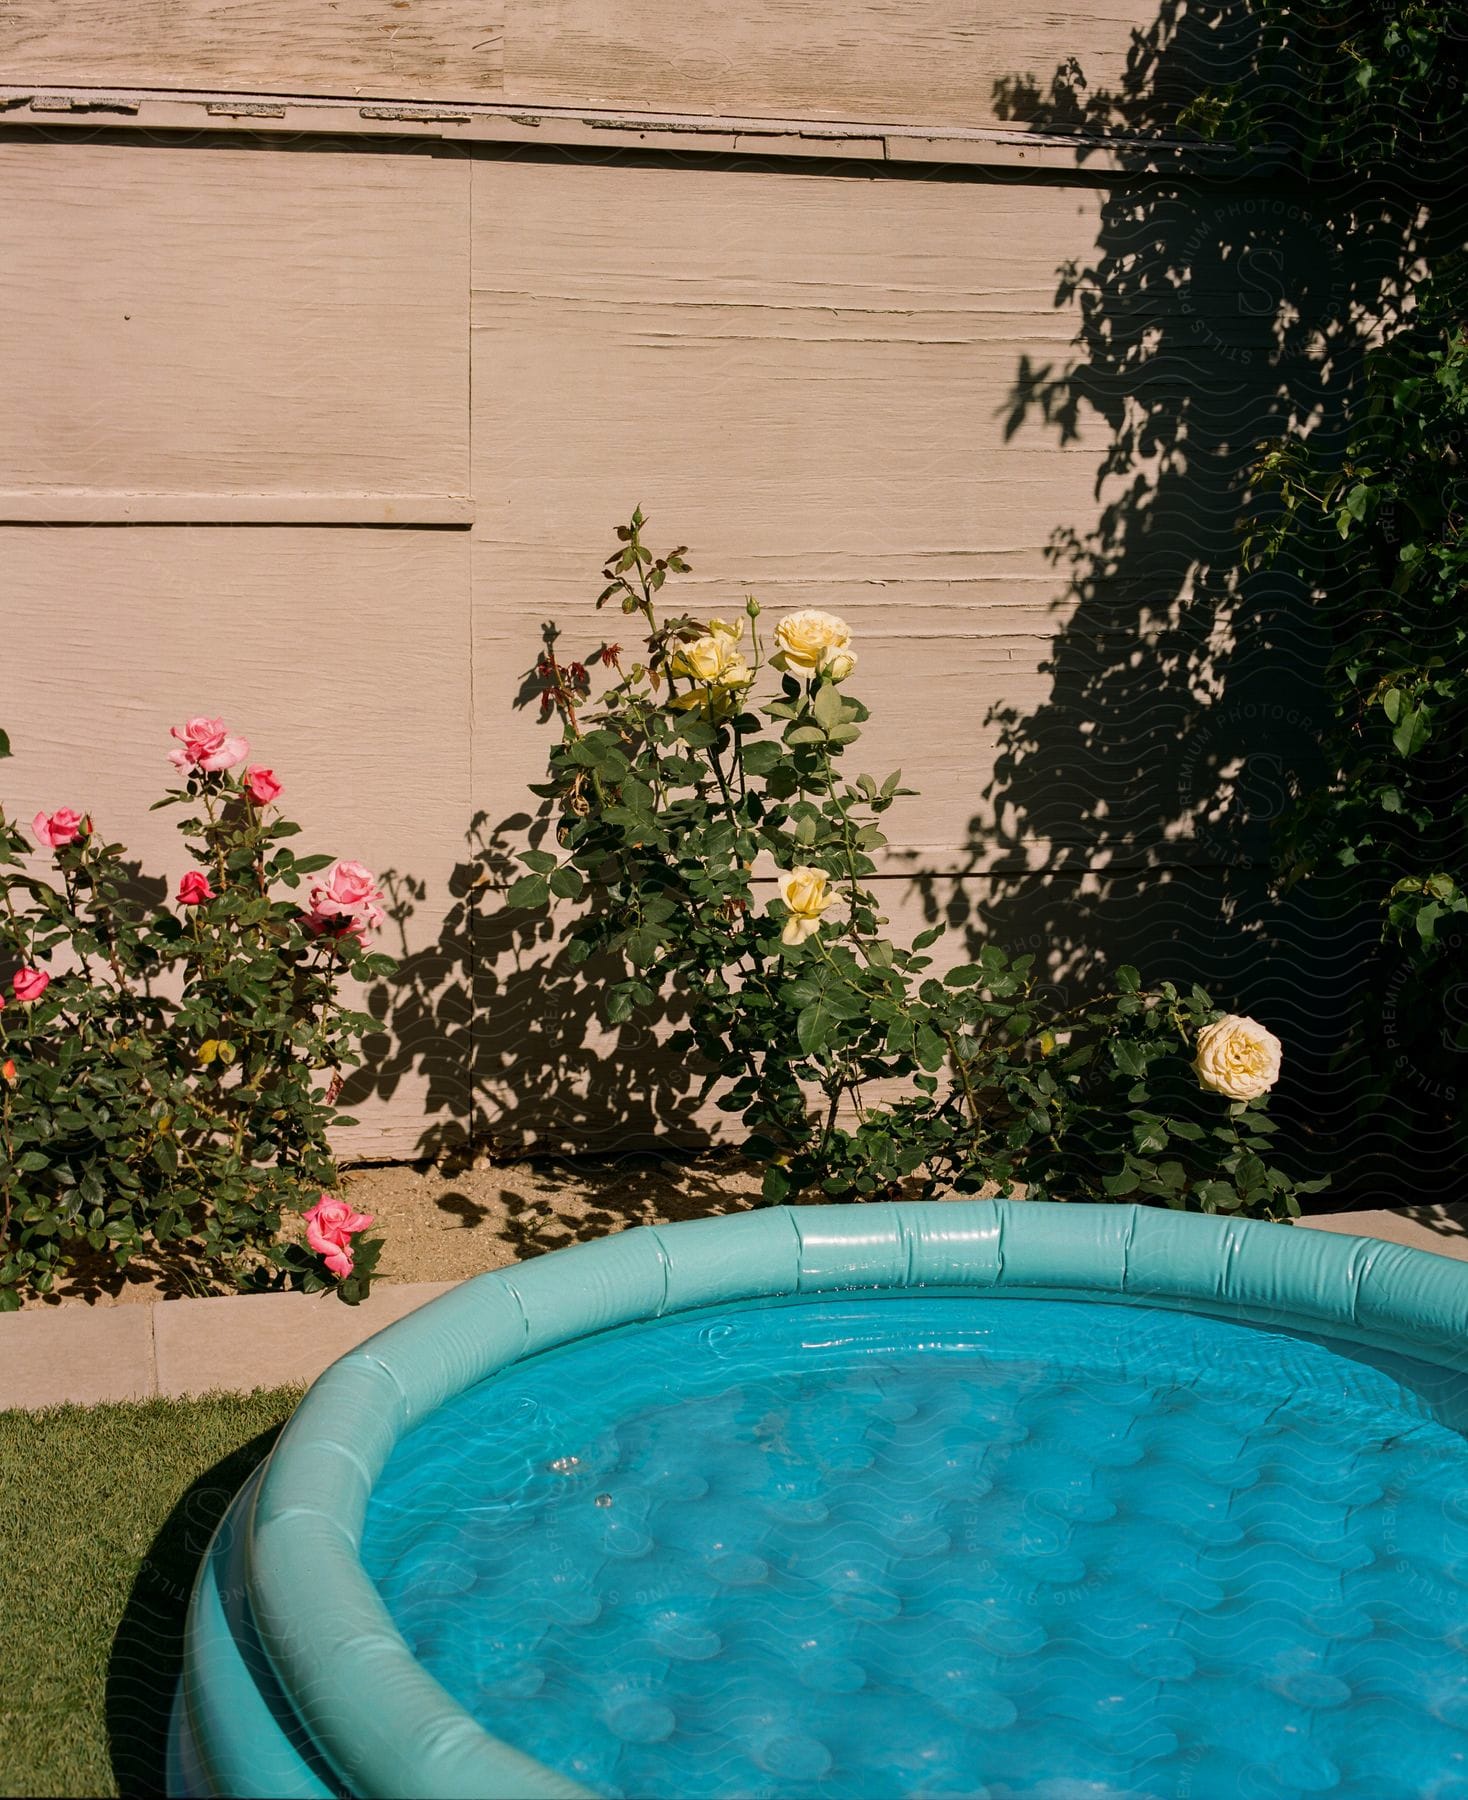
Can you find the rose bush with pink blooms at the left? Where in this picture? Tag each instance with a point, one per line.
(166, 1088)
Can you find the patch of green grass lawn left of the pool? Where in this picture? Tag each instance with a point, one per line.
(105, 1513)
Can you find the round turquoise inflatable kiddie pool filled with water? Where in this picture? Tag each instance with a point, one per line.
(980, 1498)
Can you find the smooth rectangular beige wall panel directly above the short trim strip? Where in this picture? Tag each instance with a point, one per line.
(233, 319)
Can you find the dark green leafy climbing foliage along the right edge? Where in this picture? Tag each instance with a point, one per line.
(1372, 100)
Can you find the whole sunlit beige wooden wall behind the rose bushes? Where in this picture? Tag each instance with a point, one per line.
(316, 433)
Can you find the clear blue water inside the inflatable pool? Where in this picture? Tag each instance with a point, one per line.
(949, 1547)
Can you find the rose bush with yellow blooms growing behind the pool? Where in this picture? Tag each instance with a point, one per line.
(859, 1066)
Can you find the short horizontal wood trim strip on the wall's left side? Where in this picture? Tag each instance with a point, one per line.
(105, 507)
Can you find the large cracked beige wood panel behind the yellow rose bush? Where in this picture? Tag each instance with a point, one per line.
(810, 384)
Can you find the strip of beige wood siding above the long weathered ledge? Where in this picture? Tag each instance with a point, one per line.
(927, 62)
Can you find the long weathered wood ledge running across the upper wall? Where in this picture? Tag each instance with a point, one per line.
(605, 130)
